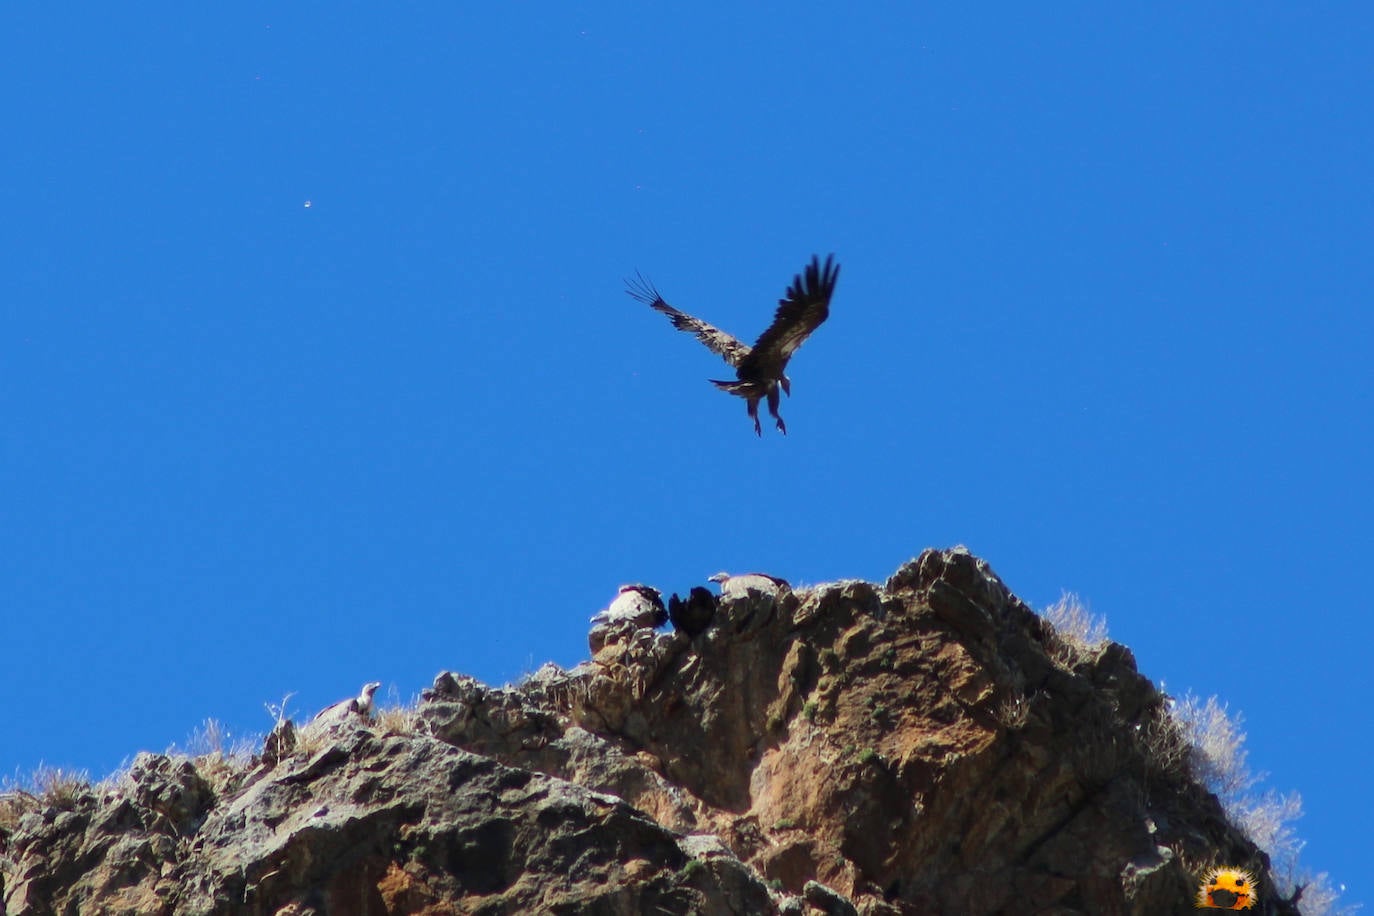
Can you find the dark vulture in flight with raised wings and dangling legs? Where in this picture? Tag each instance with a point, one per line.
(761, 369)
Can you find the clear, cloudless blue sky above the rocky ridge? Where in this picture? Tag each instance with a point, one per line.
(318, 366)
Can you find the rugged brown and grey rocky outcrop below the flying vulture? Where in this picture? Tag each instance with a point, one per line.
(928, 746)
